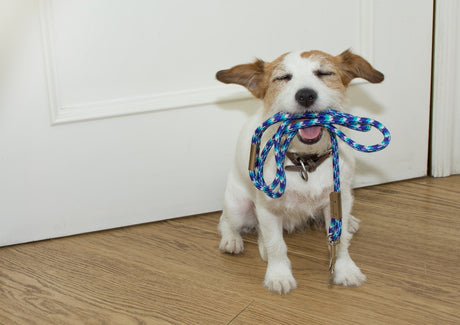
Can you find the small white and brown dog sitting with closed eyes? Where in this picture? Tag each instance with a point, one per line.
(295, 83)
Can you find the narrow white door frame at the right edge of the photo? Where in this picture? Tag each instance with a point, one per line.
(445, 140)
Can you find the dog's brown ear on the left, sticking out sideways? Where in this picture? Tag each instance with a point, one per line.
(249, 75)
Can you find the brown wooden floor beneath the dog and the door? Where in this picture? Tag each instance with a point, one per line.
(172, 272)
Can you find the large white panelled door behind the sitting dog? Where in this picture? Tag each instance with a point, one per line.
(110, 114)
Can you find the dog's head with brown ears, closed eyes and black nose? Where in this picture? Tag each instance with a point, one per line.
(301, 81)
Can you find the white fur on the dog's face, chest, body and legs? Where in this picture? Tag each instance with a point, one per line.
(245, 206)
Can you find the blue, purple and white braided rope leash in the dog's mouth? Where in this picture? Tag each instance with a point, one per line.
(280, 141)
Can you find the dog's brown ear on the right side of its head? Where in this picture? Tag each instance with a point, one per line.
(354, 66)
